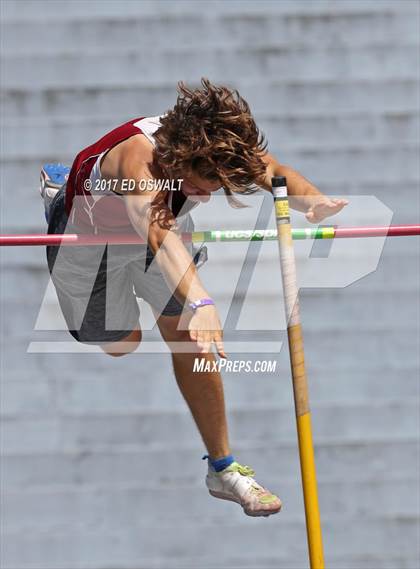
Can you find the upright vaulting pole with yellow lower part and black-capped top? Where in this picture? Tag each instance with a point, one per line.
(300, 384)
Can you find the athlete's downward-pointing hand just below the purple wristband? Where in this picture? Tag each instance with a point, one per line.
(205, 329)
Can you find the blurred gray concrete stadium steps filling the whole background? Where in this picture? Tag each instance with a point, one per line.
(100, 458)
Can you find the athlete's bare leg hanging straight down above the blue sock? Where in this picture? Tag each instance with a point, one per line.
(203, 391)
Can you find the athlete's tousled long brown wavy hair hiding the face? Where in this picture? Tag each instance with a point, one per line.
(211, 132)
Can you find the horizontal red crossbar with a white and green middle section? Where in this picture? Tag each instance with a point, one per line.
(229, 235)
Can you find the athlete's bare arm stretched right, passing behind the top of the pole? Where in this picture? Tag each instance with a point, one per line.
(303, 195)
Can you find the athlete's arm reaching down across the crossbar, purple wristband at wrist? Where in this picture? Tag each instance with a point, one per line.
(174, 261)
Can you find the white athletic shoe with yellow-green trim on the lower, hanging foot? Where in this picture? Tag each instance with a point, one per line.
(235, 483)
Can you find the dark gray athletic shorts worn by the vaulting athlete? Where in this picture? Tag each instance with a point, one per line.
(97, 286)
